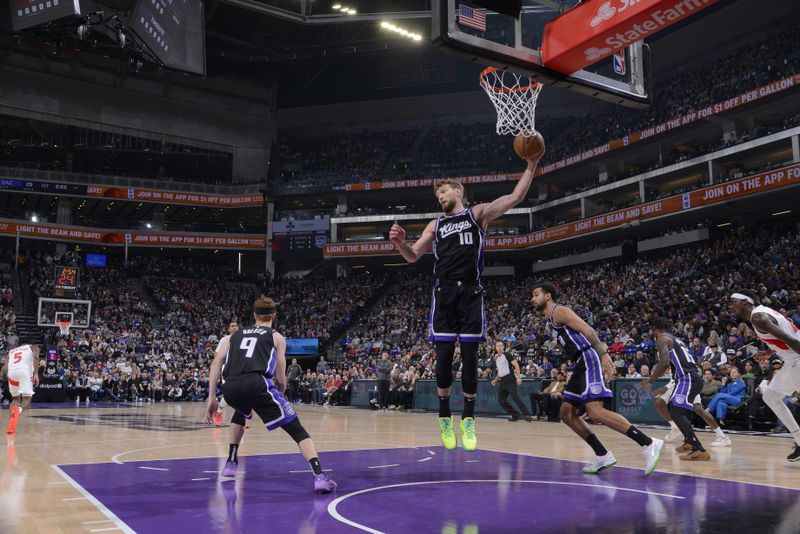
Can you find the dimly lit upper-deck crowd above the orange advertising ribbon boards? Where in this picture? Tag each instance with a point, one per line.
(445, 150)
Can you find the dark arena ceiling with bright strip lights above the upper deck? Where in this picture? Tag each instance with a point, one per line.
(319, 56)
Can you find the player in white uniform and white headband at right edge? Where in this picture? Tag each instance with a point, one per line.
(783, 337)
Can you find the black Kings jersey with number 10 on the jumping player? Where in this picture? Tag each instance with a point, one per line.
(458, 247)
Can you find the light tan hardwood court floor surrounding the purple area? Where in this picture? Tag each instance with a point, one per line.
(36, 497)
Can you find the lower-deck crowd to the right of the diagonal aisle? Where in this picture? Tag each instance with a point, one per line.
(689, 286)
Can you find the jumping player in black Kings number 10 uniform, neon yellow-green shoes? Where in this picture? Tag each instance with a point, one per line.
(457, 312)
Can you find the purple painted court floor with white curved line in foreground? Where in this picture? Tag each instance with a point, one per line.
(428, 490)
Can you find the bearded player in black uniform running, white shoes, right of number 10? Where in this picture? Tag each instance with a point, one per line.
(587, 386)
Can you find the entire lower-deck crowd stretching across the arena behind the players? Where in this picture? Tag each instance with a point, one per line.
(152, 337)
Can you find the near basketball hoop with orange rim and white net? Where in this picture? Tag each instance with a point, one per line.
(514, 97)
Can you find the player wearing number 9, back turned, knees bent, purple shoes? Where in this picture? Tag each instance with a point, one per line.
(254, 378)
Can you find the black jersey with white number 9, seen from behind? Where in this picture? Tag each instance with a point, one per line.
(251, 350)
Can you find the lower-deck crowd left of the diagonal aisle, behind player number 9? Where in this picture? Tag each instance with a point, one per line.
(155, 324)
